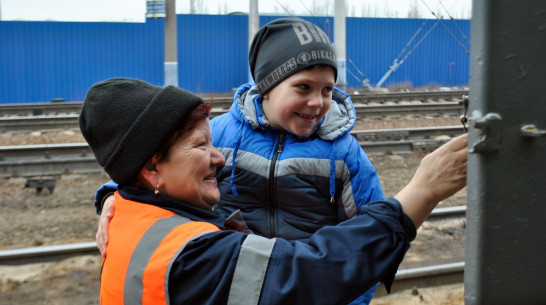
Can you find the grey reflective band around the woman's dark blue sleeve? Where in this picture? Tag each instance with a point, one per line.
(250, 270)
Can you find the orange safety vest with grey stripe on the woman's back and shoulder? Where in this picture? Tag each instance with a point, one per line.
(144, 240)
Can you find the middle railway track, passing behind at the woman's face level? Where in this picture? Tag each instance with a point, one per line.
(57, 159)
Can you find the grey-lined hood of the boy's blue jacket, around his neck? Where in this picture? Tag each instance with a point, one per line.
(339, 120)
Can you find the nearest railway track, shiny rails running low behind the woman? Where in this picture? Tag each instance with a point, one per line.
(405, 278)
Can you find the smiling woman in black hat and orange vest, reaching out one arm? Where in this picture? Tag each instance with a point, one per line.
(168, 246)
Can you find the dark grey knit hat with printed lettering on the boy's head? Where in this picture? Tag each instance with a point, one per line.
(286, 46)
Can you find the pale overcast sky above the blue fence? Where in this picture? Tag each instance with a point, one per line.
(134, 10)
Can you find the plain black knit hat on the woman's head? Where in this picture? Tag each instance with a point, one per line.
(125, 121)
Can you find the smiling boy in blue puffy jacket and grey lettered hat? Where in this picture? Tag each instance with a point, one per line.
(291, 165)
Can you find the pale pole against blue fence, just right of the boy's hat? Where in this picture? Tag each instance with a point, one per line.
(339, 42)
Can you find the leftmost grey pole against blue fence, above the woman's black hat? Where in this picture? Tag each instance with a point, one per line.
(171, 59)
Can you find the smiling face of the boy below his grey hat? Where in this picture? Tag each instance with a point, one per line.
(297, 104)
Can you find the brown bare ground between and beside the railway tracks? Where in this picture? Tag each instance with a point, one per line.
(67, 215)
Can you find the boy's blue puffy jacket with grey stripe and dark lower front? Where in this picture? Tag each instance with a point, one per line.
(287, 186)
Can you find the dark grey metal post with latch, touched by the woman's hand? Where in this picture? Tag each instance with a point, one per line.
(505, 245)
